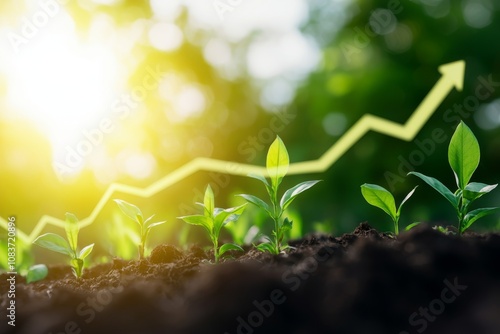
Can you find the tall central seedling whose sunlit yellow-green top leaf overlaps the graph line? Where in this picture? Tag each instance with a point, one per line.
(277, 164)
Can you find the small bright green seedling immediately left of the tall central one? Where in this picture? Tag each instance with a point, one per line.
(213, 219)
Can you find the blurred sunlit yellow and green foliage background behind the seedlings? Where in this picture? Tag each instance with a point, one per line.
(94, 92)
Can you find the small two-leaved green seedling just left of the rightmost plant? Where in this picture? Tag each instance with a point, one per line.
(381, 198)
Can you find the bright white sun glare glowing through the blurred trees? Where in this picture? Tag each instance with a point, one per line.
(63, 84)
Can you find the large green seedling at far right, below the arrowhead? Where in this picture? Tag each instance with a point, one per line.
(463, 156)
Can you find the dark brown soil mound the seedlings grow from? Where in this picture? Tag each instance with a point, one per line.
(364, 282)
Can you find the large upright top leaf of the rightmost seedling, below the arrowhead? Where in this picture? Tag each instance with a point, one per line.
(463, 154)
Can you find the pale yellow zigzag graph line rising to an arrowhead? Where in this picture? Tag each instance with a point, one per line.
(452, 77)
